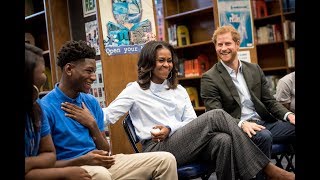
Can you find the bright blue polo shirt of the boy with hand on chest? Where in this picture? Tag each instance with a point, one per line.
(71, 139)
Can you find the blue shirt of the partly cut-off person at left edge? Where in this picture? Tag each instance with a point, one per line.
(32, 137)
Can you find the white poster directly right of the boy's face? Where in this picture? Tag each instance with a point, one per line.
(97, 88)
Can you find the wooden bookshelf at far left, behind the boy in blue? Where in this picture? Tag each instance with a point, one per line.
(47, 24)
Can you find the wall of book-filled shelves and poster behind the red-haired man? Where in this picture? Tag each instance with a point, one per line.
(273, 51)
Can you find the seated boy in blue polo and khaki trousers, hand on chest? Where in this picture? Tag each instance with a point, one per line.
(78, 131)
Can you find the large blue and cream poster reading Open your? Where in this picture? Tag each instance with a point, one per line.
(126, 25)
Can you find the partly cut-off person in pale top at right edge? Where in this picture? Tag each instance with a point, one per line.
(285, 91)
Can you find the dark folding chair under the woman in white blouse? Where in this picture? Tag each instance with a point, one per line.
(188, 171)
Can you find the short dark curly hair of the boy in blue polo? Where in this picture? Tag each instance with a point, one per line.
(74, 51)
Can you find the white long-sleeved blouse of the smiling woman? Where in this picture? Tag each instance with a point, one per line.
(155, 106)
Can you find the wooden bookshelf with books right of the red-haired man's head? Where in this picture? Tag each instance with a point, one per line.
(276, 51)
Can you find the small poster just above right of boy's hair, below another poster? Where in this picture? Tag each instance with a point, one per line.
(92, 36)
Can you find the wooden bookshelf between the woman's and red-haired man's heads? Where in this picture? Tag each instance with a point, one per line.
(198, 17)
